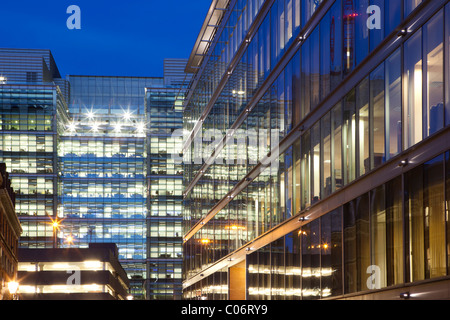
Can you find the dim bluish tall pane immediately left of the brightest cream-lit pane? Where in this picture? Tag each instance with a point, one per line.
(393, 105)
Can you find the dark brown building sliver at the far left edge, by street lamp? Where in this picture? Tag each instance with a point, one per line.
(10, 231)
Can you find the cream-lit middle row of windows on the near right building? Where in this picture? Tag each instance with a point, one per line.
(383, 115)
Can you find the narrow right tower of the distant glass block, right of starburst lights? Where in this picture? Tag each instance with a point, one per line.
(165, 188)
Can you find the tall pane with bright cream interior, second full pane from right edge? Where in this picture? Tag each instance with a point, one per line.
(413, 91)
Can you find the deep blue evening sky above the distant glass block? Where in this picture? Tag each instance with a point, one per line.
(123, 38)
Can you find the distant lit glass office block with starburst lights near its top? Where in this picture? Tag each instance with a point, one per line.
(78, 153)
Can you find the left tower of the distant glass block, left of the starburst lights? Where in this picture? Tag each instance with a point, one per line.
(33, 113)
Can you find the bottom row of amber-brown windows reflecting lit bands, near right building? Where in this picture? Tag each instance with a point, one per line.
(397, 233)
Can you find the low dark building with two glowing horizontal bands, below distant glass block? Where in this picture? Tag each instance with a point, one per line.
(92, 273)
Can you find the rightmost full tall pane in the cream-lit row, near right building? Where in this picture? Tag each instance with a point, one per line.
(434, 49)
